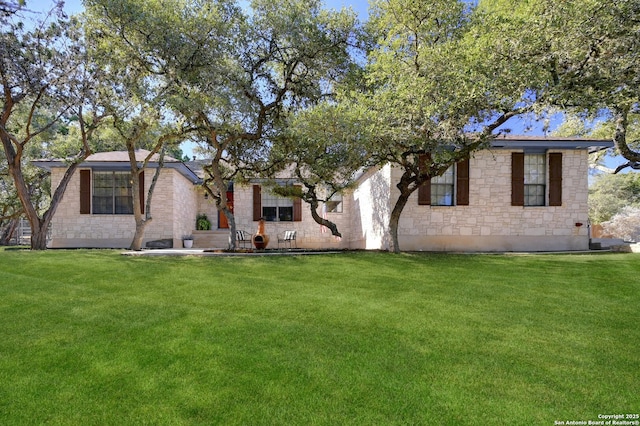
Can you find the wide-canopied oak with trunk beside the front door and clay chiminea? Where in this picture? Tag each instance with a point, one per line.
(231, 76)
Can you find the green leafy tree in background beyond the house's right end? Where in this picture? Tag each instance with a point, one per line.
(609, 194)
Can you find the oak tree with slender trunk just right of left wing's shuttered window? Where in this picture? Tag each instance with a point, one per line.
(140, 58)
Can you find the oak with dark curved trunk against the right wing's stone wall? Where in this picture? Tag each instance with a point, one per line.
(435, 88)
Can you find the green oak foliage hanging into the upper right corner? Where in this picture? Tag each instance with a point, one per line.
(583, 54)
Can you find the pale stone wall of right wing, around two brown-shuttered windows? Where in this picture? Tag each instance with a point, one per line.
(490, 223)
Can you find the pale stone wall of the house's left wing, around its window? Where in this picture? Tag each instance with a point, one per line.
(171, 204)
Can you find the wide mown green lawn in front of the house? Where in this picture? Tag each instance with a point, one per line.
(93, 337)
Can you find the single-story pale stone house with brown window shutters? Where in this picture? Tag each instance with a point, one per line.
(521, 194)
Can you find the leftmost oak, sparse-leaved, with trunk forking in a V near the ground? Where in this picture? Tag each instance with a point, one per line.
(47, 78)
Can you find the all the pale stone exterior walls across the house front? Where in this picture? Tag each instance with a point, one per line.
(488, 223)
